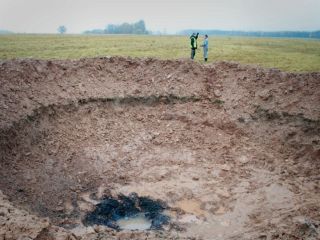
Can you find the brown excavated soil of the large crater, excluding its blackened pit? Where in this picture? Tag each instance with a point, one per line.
(232, 151)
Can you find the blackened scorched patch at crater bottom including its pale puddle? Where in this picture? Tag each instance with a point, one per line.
(128, 213)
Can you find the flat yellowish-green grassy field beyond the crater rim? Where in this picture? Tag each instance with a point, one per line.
(294, 55)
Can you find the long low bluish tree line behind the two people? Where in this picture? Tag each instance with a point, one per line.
(281, 34)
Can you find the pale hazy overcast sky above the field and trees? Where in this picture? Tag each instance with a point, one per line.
(44, 16)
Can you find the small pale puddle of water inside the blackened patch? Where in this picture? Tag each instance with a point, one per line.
(137, 222)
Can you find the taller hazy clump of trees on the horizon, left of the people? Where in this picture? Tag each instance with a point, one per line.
(124, 28)
